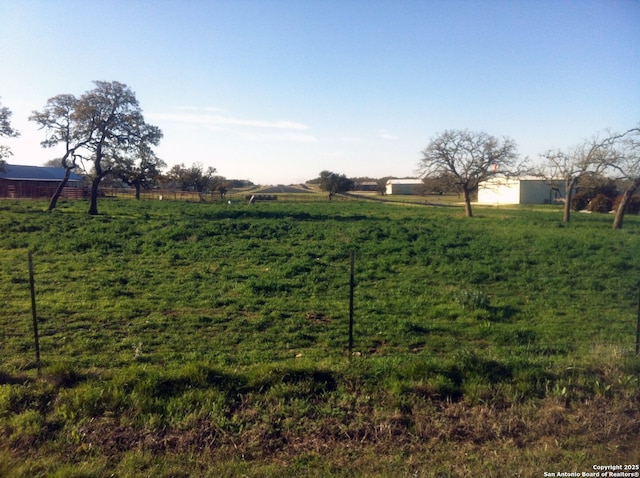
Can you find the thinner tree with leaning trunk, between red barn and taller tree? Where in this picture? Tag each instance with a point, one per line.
(58, 120)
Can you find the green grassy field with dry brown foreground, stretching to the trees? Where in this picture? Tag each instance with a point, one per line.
(211, 339)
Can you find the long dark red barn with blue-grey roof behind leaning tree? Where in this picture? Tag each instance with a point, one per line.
(19, 181)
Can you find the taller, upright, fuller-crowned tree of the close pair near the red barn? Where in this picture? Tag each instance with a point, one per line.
(110, 118)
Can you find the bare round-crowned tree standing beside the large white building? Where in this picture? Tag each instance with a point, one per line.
(466, 158)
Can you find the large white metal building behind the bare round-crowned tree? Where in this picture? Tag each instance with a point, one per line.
(523, 190)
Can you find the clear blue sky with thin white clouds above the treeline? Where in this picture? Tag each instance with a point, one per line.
(276, 91)
